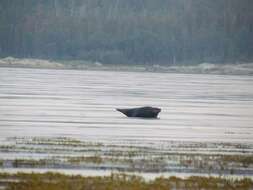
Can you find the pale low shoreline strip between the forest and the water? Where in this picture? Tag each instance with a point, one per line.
(203, 68)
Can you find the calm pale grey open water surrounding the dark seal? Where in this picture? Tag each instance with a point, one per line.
(81, 104)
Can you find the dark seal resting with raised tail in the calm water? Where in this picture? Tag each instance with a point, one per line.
(144, 112)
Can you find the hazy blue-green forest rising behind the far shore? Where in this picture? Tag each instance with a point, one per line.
(128, 31)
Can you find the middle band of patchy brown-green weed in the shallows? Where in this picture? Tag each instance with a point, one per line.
(217, 164)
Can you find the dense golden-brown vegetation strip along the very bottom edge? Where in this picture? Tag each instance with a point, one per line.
(54, 181)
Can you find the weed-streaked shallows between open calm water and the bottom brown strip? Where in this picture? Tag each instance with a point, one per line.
(218, 159)
